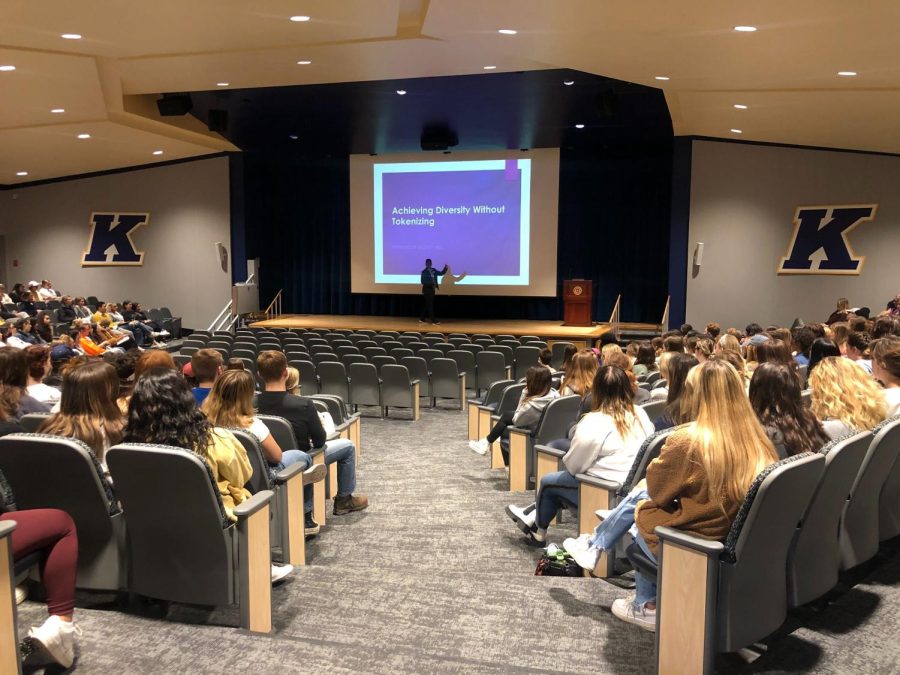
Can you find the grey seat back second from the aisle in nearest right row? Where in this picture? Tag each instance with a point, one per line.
(814, 559)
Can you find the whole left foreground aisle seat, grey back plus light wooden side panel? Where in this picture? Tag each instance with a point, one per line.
(184, 548)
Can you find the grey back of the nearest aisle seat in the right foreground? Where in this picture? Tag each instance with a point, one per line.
(752, 600)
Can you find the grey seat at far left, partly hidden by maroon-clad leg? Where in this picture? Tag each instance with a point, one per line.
(51, 472)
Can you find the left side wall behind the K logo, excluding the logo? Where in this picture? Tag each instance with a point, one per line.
(46, 228)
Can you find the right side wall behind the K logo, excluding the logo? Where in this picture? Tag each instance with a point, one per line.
(743, 200)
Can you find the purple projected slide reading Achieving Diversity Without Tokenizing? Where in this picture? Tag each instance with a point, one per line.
(471, 215)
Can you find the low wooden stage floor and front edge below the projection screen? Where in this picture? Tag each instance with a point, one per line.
(550, 330)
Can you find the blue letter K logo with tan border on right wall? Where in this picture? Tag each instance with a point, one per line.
(820, 245)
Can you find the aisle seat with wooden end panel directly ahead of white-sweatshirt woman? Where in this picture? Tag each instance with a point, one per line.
(555, 422)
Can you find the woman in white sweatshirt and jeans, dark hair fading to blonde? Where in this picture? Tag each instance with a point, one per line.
(605, 443)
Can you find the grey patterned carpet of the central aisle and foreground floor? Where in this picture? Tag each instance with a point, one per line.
(434, 577)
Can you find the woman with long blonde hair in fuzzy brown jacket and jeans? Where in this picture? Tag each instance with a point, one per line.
(697, 483)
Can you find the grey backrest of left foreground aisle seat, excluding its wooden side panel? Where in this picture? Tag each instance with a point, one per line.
(179, 545)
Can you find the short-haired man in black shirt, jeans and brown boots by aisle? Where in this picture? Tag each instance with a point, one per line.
(301, 413)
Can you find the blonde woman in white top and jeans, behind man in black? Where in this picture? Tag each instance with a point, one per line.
(230, 404)
